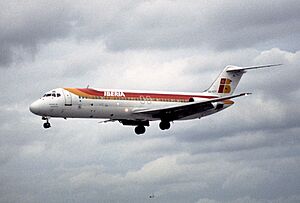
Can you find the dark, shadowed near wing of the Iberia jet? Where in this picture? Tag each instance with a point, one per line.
(181, 111)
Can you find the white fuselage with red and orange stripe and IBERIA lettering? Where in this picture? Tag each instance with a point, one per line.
(112, 104)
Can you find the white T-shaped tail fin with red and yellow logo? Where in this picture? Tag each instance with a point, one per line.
(229, 78)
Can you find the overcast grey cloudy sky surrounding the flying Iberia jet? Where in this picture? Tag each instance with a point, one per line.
(247, 153)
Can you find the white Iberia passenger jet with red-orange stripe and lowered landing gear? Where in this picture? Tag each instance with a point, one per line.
(138, 108)
